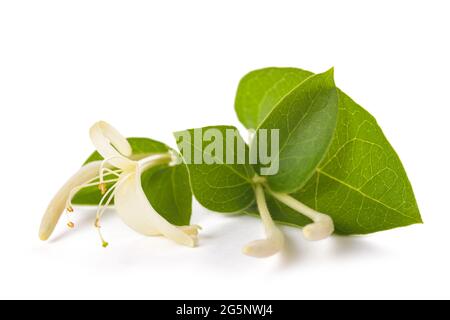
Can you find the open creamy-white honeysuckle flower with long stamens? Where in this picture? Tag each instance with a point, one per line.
(129, 198)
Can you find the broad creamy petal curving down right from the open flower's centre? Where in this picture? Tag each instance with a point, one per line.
(135, 210)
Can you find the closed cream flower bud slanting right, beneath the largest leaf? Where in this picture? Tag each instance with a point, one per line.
(322, 226)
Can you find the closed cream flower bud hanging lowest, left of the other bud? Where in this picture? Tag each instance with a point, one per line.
(275, 239)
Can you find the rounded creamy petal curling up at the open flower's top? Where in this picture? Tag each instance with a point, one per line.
(111, 145)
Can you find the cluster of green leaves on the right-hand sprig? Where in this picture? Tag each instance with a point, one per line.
(333, 157)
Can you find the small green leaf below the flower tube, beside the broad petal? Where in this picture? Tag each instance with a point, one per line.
(169, 192)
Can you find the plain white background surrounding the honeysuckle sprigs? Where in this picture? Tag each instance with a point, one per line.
(153, 67)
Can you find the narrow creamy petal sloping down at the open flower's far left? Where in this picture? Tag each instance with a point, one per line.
(57, 205)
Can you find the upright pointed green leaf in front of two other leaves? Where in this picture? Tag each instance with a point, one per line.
(306, 118)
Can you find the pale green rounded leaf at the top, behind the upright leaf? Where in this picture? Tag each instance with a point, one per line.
(260, 90)
